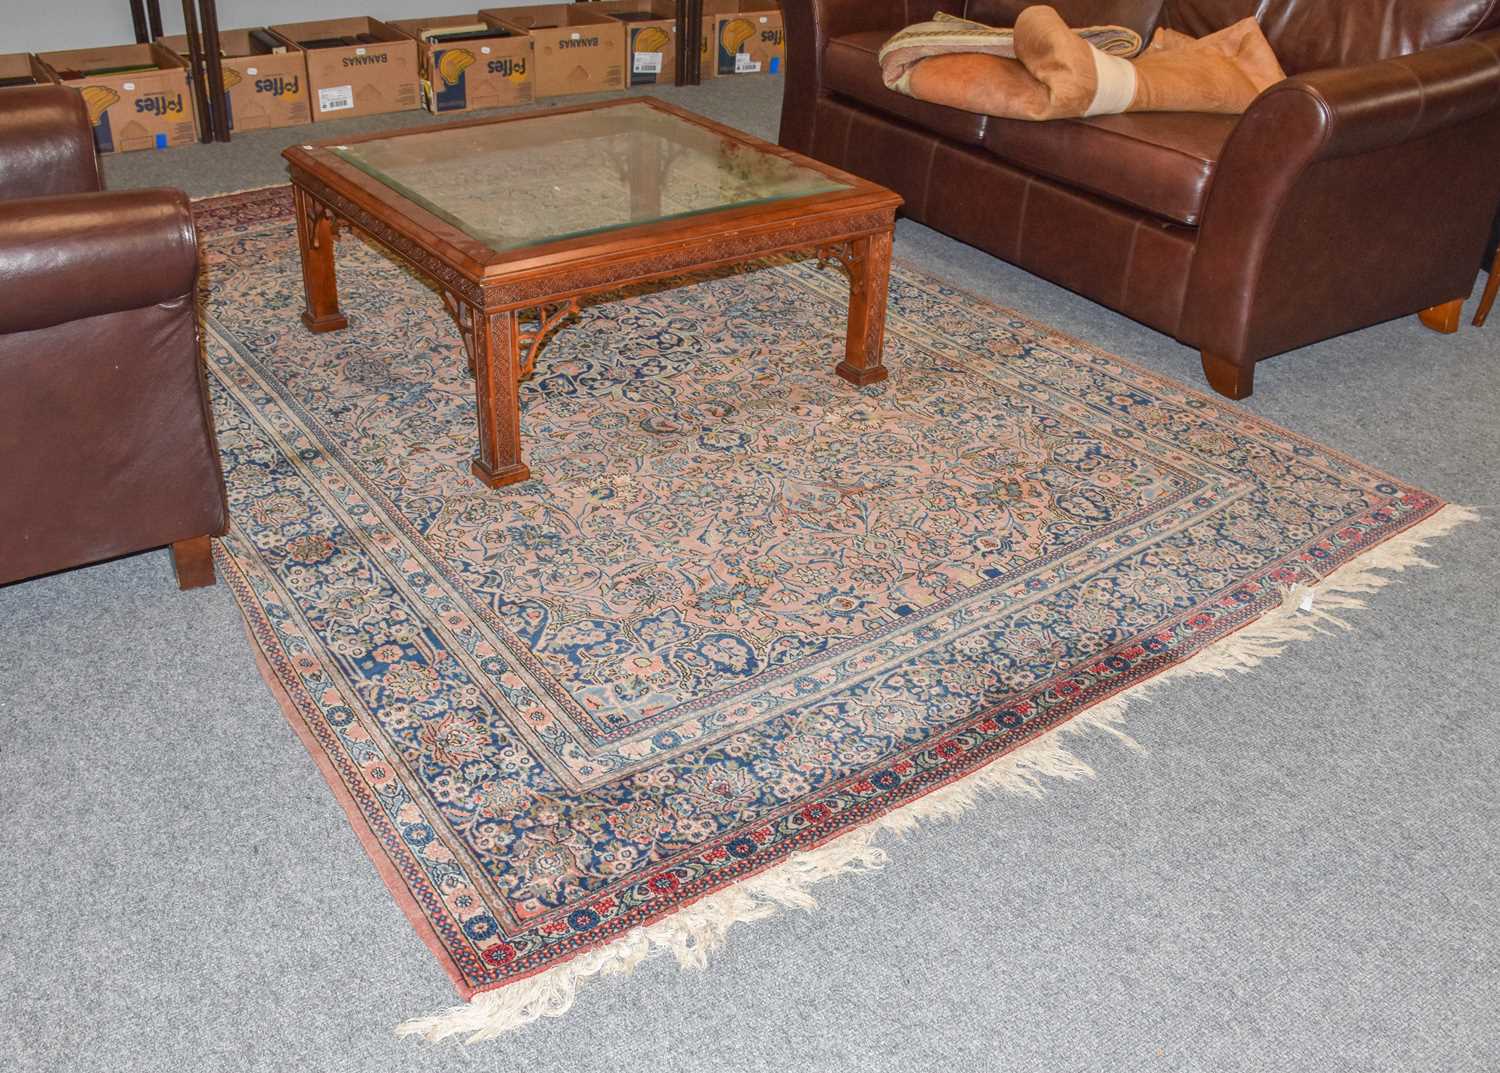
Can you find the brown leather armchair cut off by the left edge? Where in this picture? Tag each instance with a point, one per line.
(106, 434)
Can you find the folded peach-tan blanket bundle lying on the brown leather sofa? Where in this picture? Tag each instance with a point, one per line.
(1043, 70)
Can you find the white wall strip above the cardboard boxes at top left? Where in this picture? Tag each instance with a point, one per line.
(40, 26)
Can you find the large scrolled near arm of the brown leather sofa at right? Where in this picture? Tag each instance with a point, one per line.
(1346, 197)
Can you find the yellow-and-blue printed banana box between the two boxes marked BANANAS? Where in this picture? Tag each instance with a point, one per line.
(476, 73)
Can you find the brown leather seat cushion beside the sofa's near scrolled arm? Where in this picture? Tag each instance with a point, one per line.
(1159, 163)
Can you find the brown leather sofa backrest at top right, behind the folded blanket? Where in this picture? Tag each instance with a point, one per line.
(1337, 34)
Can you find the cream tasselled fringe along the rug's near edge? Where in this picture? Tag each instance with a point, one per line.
(695, 931)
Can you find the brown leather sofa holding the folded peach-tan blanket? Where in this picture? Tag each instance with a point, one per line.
(1360, 190)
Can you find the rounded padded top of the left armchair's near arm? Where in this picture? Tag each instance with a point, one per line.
(88, 254)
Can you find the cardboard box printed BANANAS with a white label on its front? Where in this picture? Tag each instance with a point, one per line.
(374, 73)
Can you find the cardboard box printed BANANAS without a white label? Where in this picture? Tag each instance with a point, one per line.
(577, 50)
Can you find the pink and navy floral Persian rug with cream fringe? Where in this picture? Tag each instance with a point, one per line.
(745, 618)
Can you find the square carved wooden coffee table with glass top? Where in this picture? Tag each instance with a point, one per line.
(515, 220)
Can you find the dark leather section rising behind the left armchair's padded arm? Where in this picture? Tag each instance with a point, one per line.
(46, 143)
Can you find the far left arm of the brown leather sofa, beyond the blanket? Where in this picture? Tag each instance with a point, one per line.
(811, 25)
